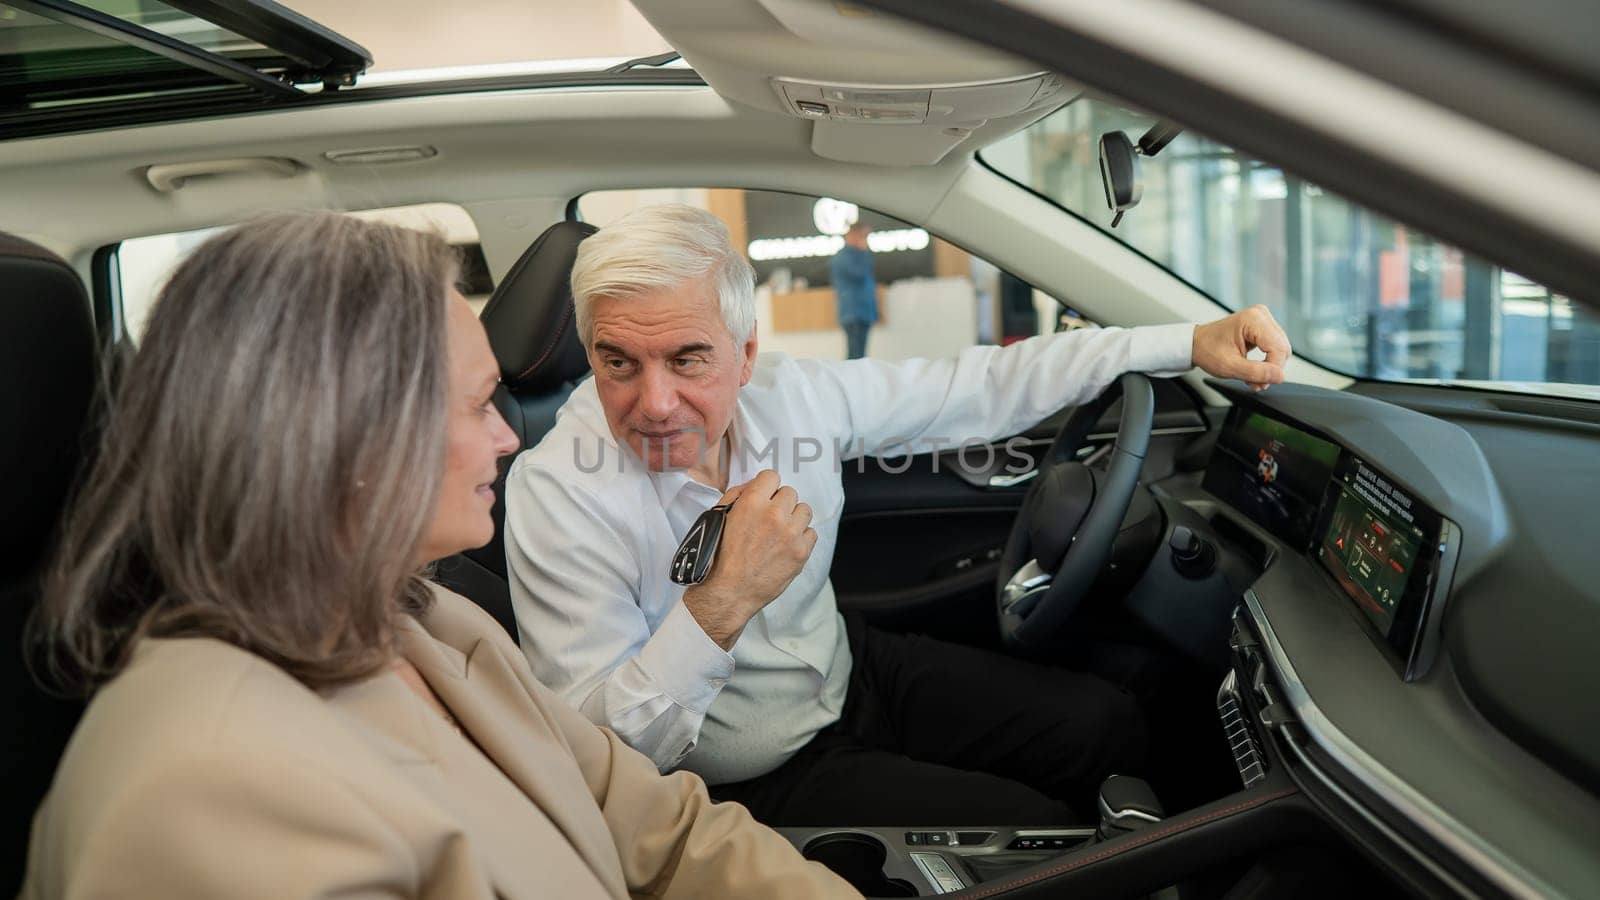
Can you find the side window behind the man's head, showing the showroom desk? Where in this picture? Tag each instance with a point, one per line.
(932, 299)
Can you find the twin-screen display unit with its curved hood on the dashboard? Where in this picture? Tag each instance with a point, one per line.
(1364, 496)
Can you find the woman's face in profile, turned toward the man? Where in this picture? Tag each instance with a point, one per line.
(476, 440)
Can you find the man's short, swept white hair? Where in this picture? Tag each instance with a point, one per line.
(658, 249)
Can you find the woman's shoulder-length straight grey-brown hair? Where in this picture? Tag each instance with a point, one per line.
(271, 460)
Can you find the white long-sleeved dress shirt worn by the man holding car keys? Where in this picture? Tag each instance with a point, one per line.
(591, 534)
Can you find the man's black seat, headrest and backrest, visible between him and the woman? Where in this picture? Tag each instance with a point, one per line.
(534, 331)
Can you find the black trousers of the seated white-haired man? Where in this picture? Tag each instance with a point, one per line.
(943, 734)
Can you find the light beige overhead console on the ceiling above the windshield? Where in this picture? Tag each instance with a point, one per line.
(876, 89)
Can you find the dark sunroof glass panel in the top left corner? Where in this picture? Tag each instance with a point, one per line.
(46, 62)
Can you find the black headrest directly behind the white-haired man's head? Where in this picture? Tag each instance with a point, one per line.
(530, 318)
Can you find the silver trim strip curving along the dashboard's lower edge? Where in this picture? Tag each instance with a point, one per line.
(1390, 787)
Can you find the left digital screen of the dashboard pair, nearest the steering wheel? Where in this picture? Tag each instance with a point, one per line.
(1271, 472)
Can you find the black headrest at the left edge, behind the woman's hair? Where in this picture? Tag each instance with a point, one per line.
(47, 385)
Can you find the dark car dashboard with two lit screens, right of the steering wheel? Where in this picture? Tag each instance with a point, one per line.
(1418, 641)
